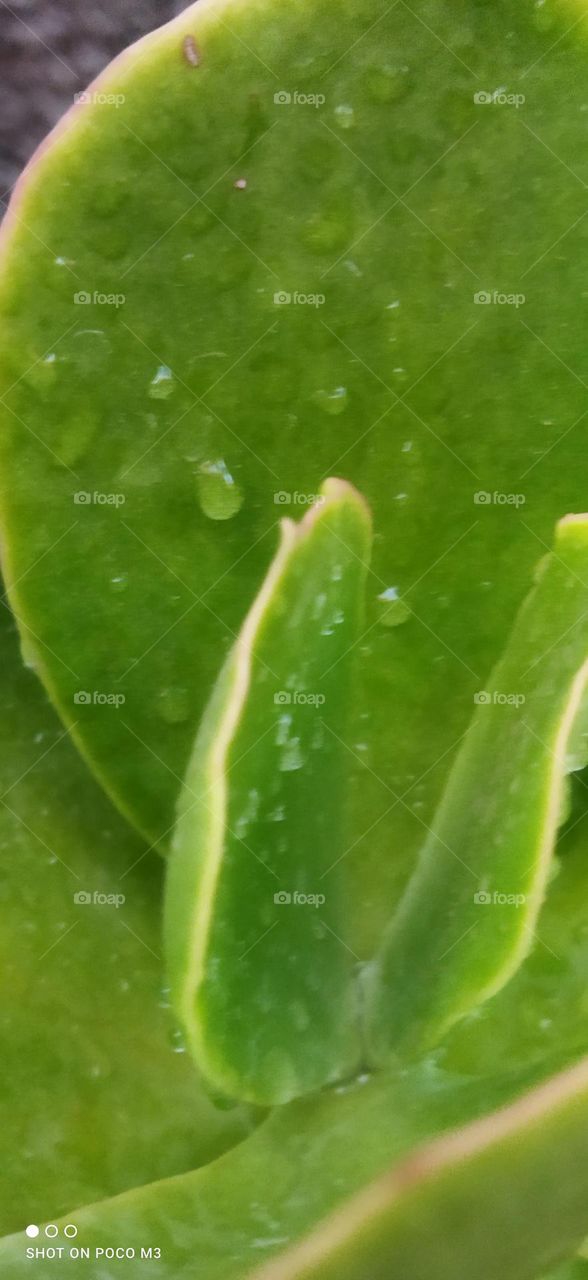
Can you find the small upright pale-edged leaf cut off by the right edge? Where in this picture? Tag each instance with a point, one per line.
(470, 915)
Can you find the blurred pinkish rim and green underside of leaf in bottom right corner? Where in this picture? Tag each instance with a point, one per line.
(457, 1209)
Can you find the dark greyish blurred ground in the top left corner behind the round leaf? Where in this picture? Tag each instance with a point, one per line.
(51, 51)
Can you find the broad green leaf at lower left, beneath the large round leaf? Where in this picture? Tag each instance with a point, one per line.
(97, 1095)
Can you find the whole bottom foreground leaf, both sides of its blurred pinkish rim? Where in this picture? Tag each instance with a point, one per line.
(355, 1177)
